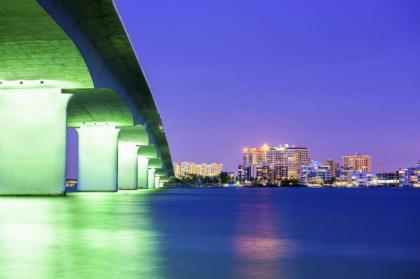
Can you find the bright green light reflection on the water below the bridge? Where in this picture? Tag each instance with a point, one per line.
(88, 235)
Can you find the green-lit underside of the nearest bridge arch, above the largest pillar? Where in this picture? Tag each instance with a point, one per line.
(33, 47)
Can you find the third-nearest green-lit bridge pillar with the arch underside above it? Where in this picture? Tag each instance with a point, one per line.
(128, 141)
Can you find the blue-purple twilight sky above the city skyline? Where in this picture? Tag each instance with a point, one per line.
(336, 76)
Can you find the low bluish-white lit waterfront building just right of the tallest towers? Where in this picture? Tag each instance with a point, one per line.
(315, 174)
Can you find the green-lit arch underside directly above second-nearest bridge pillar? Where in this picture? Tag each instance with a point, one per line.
(97, 106)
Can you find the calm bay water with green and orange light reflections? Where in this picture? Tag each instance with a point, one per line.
(213, 233)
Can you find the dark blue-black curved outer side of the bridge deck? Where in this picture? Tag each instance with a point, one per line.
(96, 30)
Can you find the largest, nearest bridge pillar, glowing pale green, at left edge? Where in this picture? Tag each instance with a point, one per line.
(32, 141)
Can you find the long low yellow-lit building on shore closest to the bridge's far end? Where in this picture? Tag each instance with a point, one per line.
(183, 169)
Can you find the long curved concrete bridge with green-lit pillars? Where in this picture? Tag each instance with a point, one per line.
(70, 64)
